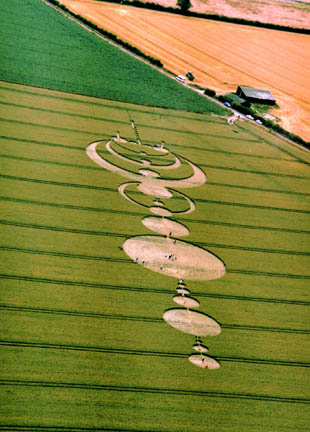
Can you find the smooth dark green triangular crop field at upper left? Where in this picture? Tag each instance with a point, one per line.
(41, 47)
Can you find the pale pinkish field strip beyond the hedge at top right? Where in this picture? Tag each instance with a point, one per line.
(282, 12)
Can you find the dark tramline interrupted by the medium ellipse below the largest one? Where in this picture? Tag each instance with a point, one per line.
(143, 319)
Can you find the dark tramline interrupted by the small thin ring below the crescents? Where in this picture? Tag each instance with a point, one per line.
(102, 188)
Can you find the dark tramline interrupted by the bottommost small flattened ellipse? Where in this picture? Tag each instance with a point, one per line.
(124, 351)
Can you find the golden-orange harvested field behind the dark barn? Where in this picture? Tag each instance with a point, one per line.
(221, 55)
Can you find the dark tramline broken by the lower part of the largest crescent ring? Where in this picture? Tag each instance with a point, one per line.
(96, 168)
